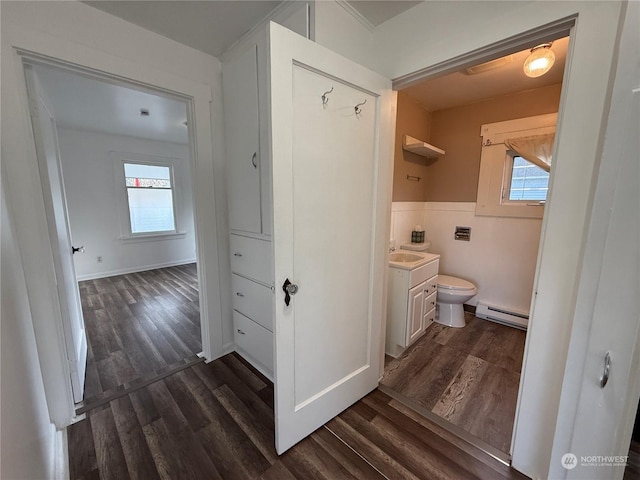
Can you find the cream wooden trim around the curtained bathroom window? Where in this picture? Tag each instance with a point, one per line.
(495, 162)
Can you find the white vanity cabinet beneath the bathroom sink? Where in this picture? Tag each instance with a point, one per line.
(411, 304)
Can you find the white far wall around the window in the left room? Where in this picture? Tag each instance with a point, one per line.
(95, 210)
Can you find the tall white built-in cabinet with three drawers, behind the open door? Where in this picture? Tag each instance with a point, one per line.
(248, 187)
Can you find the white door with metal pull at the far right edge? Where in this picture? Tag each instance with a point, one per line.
(604, 413)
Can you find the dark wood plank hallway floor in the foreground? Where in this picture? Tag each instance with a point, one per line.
(215, 421)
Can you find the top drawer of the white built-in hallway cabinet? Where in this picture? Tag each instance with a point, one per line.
(252, 258)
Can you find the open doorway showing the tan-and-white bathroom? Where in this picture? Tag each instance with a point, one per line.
(468, 378)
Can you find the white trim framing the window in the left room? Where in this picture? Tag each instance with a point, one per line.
(124, 215)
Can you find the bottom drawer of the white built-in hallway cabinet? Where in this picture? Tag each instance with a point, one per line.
(255, 341)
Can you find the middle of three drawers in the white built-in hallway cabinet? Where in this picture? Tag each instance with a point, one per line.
(253, 300)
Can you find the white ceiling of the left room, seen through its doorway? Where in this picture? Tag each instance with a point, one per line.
(89, 104)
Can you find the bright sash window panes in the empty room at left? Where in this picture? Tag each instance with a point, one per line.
(150, 198)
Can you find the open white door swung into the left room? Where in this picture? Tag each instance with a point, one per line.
(46, 137)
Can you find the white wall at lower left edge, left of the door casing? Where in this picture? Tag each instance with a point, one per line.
(28, 438)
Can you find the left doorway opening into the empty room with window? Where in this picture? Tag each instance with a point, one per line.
(122, 157)
